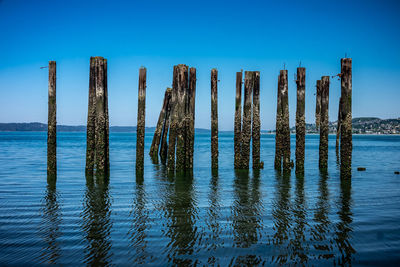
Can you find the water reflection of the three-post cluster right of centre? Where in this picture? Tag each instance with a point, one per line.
(246, 215)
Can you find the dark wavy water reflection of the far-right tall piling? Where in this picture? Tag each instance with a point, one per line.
(343, 227)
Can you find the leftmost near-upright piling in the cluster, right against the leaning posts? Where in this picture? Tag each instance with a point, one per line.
(173, 123)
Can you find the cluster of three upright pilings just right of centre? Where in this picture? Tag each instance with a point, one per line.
(247, 128)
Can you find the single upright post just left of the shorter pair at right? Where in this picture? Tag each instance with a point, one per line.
(300, 120)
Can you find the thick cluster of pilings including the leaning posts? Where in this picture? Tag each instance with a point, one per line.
(176, 122)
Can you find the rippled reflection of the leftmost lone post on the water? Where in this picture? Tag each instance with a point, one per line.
(50, 226)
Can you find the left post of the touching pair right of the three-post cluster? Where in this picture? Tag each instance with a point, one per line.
(278, 128)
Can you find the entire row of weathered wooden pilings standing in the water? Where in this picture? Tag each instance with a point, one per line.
(177, 118)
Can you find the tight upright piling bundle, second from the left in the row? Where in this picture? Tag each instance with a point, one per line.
(97, 131)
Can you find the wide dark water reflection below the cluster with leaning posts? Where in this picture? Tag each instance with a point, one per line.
(182, 213)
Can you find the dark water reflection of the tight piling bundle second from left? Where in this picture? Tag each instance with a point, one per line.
(96, 221)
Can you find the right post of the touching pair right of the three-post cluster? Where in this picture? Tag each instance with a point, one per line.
(285, 121)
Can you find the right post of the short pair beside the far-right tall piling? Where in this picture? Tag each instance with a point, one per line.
(324, 126)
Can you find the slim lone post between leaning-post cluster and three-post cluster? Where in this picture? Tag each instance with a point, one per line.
(214, 119)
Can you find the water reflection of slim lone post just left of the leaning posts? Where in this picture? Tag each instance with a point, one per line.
(140, 218)
